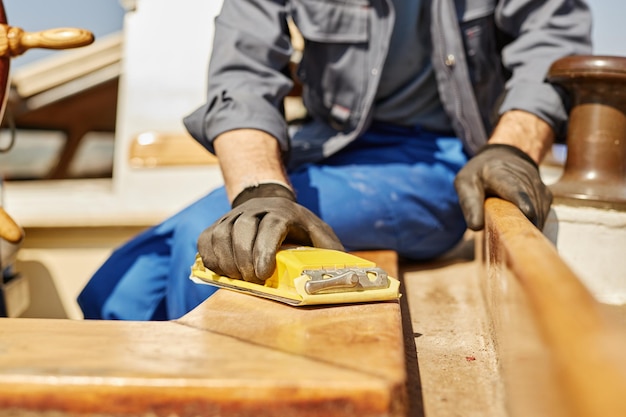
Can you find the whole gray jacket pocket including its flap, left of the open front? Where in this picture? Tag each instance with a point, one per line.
(334, 64)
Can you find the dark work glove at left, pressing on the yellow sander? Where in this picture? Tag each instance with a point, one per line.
(243, 243)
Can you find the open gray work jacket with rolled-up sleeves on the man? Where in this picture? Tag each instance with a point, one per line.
(489, 56)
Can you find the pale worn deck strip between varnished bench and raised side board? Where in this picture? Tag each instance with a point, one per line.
(456, 364)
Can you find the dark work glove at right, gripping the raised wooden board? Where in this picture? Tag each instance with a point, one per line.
(507, 172)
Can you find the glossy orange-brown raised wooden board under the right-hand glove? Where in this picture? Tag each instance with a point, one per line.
(585, 345)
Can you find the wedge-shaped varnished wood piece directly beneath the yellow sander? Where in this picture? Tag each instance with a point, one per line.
(364, 338)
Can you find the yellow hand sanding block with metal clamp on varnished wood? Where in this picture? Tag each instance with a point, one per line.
(310, 276)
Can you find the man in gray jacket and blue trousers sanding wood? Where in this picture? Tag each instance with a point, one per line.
(416, 112)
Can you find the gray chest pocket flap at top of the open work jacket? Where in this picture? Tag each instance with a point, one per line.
(332, 21)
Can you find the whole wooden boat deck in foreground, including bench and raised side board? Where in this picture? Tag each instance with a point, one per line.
(490, 330)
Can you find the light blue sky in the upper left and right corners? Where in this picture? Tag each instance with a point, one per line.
(105, 16)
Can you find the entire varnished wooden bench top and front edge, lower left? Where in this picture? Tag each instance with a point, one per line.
(234, 355)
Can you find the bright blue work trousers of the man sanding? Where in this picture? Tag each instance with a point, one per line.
(390, 189)
